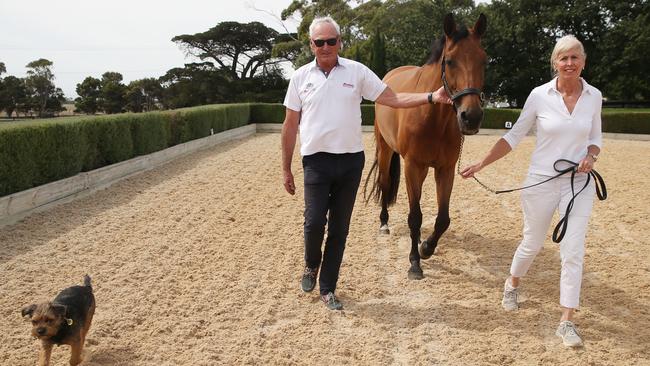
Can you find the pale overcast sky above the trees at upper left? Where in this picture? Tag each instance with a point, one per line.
(89, 37)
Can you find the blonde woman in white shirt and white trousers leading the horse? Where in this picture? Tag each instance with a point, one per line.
(566, 112)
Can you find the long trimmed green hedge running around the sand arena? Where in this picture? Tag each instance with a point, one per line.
(41, 151)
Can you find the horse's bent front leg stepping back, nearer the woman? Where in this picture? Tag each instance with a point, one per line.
(444, 184)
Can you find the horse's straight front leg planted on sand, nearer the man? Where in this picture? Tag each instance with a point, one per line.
(414, 179)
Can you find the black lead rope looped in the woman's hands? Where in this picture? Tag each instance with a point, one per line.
(561, 227)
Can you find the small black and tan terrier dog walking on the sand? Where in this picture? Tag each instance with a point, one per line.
(65, 320)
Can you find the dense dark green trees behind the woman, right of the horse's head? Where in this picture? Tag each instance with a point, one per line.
(522, 34)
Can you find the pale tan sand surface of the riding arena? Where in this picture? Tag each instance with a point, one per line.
(198, 263)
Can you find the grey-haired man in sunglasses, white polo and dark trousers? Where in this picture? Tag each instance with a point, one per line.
(323, 99)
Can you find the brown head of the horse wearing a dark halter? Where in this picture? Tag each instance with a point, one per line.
(463, 67)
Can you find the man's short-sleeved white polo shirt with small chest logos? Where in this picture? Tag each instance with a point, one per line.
(330, 119)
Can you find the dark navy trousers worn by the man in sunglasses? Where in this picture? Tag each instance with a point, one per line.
(331, 184)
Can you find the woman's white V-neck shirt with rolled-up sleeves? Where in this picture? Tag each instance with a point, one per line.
(560, 134)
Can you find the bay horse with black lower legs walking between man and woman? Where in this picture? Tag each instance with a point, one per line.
(429, 135)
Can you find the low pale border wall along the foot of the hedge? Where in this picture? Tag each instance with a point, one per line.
(19, 205)
